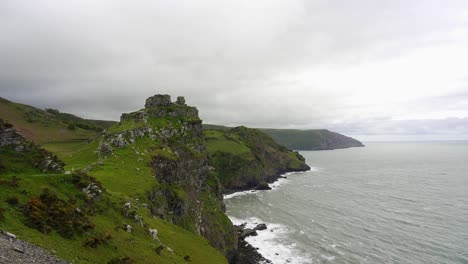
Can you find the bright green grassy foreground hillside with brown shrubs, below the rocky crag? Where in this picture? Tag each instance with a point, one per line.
(81, 216)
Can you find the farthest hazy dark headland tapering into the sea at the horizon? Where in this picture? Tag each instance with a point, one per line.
(317, 139)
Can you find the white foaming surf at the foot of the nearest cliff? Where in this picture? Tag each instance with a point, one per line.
(272, 244)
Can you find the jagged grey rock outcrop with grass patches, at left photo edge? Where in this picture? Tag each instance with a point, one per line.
(21, 154)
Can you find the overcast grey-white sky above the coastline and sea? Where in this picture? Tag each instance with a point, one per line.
(388, 69)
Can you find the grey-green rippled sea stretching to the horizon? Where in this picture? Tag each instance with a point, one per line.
(385, 203)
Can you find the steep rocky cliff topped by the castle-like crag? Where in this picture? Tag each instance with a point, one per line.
(186, 192)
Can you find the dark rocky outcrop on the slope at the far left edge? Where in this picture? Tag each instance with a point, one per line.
(14, 144)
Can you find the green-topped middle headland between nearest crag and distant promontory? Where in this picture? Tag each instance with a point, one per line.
(246, 158)
